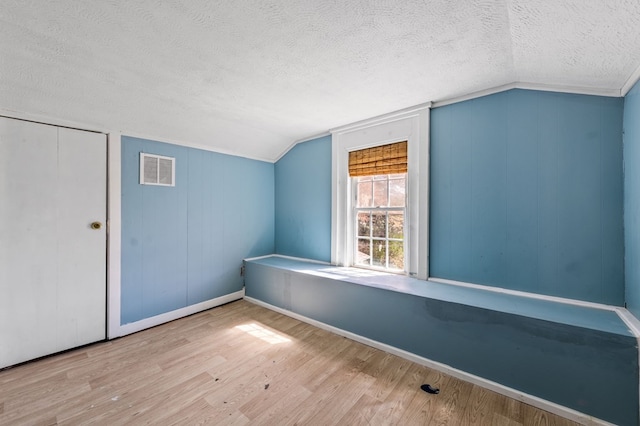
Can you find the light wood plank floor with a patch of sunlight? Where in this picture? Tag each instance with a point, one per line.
(243, 364)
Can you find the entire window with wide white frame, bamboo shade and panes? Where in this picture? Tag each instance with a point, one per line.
(365, 229)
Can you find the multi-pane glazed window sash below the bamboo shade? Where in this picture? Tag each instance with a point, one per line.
(379, 214)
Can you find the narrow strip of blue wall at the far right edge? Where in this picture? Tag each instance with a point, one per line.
(632, 198)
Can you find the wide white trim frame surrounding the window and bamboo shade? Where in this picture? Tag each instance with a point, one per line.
(411, 125)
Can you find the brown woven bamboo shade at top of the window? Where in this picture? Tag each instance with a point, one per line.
(379, 160)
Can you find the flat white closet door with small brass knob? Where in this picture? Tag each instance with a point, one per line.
(52, 262)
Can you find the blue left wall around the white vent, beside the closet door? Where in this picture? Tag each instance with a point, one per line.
(183, 245)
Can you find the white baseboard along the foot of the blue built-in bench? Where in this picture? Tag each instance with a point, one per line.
(535, 401)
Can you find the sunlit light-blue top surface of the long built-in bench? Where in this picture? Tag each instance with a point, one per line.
(549, 310)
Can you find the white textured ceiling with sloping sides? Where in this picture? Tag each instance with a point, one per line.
(252, 76)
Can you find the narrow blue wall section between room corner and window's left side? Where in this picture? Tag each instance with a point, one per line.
(303, 201)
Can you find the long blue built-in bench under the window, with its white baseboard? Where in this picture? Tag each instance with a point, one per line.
(577, 361)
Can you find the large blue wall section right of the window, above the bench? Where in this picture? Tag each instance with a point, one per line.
(526, 194)
